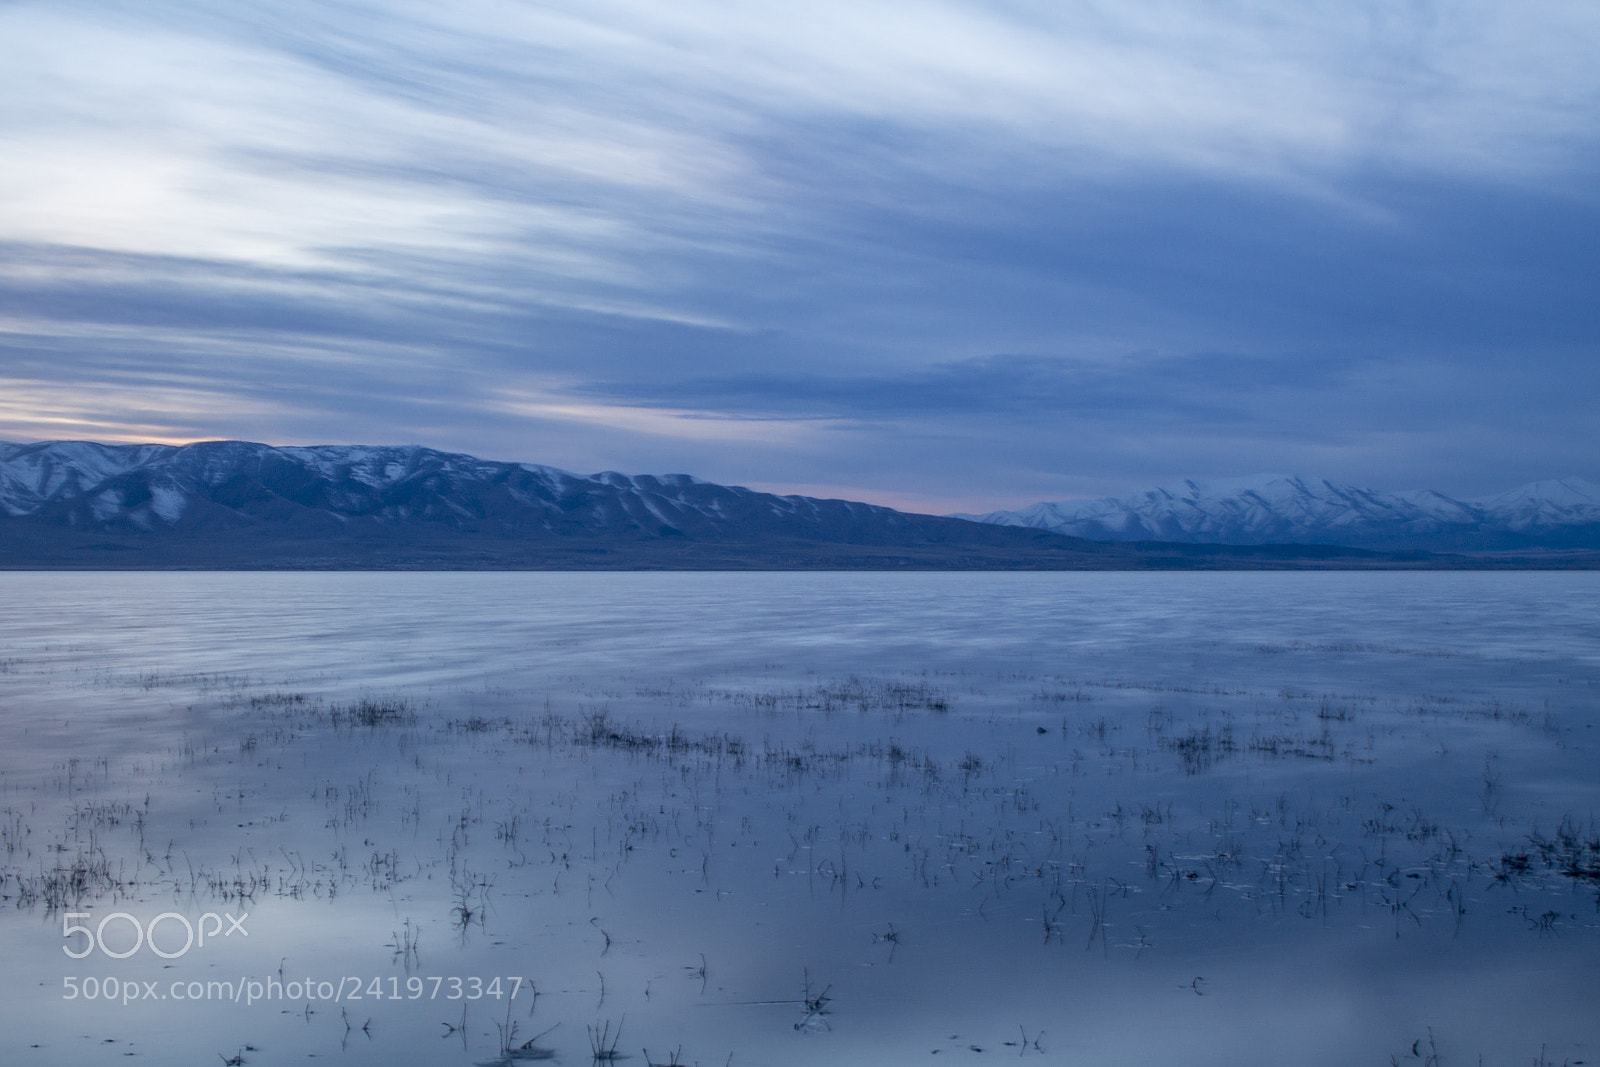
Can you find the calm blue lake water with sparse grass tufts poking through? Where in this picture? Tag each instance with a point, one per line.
(801, 818)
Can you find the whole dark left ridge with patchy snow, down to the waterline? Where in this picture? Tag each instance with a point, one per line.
(230, 503)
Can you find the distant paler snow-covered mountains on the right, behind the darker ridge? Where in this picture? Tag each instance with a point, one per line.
(1271, 510)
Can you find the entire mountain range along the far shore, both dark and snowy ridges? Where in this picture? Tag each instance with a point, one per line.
(241, 505)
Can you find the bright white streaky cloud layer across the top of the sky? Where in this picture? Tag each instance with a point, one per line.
(289, 132)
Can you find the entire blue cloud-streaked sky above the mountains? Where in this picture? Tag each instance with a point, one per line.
(935, 255)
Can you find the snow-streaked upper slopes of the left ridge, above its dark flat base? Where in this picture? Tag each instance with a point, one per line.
(241, 486)
